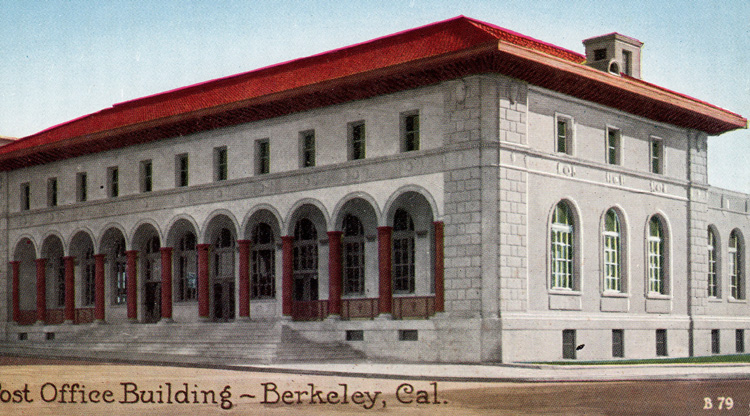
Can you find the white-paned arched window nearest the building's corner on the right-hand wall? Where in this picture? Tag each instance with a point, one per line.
(561, 250)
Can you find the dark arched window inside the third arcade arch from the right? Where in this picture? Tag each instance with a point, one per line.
(305, 261)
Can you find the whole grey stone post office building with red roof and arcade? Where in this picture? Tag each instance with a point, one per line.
(457, 192)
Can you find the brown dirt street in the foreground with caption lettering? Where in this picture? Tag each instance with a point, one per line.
(55, 387)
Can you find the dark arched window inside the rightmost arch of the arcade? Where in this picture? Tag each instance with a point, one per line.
(403, 252)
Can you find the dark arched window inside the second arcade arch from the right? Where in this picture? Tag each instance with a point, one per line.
(353, 242)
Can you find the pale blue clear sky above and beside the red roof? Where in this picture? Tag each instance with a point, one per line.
(66, 58)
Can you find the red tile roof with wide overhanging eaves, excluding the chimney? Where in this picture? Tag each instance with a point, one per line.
(422, 56)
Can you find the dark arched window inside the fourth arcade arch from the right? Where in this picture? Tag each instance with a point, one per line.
(263, 279)
